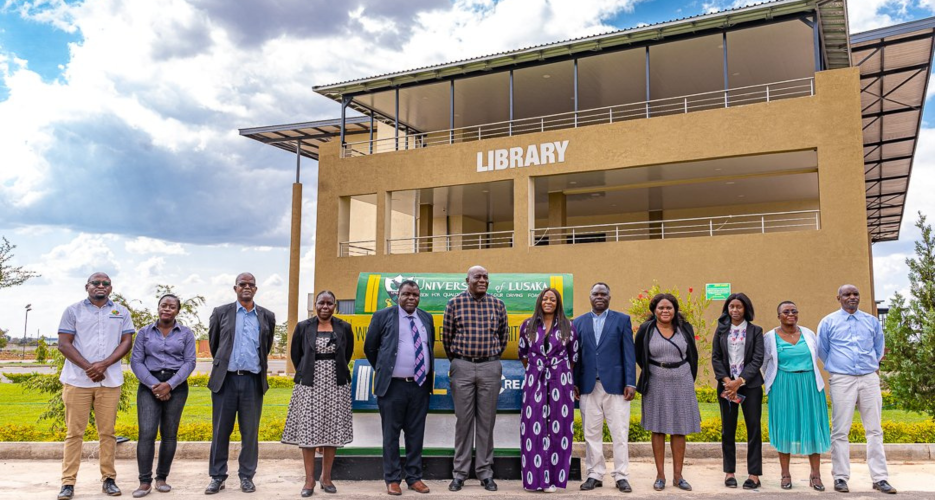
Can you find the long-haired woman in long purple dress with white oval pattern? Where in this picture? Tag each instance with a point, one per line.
(548, 348)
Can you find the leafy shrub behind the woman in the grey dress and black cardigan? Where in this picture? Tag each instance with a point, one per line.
(691, 306)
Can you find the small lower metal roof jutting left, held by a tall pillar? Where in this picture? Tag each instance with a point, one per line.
(307, 136)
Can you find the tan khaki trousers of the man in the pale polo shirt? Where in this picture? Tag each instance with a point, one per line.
(78, 404)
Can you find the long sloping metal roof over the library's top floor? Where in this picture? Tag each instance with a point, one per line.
(832, 16)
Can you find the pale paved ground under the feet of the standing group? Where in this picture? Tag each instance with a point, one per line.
(27, 479)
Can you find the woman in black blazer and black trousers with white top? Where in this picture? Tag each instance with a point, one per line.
(737, 355)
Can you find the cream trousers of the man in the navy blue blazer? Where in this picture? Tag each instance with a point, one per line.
(595, 408)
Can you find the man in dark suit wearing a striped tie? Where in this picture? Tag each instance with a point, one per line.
(399, 345)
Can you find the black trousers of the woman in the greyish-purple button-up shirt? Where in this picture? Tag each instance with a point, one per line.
(162, 417)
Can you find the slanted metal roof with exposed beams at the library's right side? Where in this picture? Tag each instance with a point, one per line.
(895, 64)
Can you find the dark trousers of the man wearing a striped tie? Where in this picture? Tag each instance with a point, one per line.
(403, 408)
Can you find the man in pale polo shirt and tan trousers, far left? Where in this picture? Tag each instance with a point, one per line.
(93, 336)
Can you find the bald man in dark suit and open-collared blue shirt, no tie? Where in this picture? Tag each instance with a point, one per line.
(240, 336)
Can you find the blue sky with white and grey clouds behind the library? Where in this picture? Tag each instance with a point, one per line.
(118, 126)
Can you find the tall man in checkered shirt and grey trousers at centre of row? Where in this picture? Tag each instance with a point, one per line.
(474, 334)
